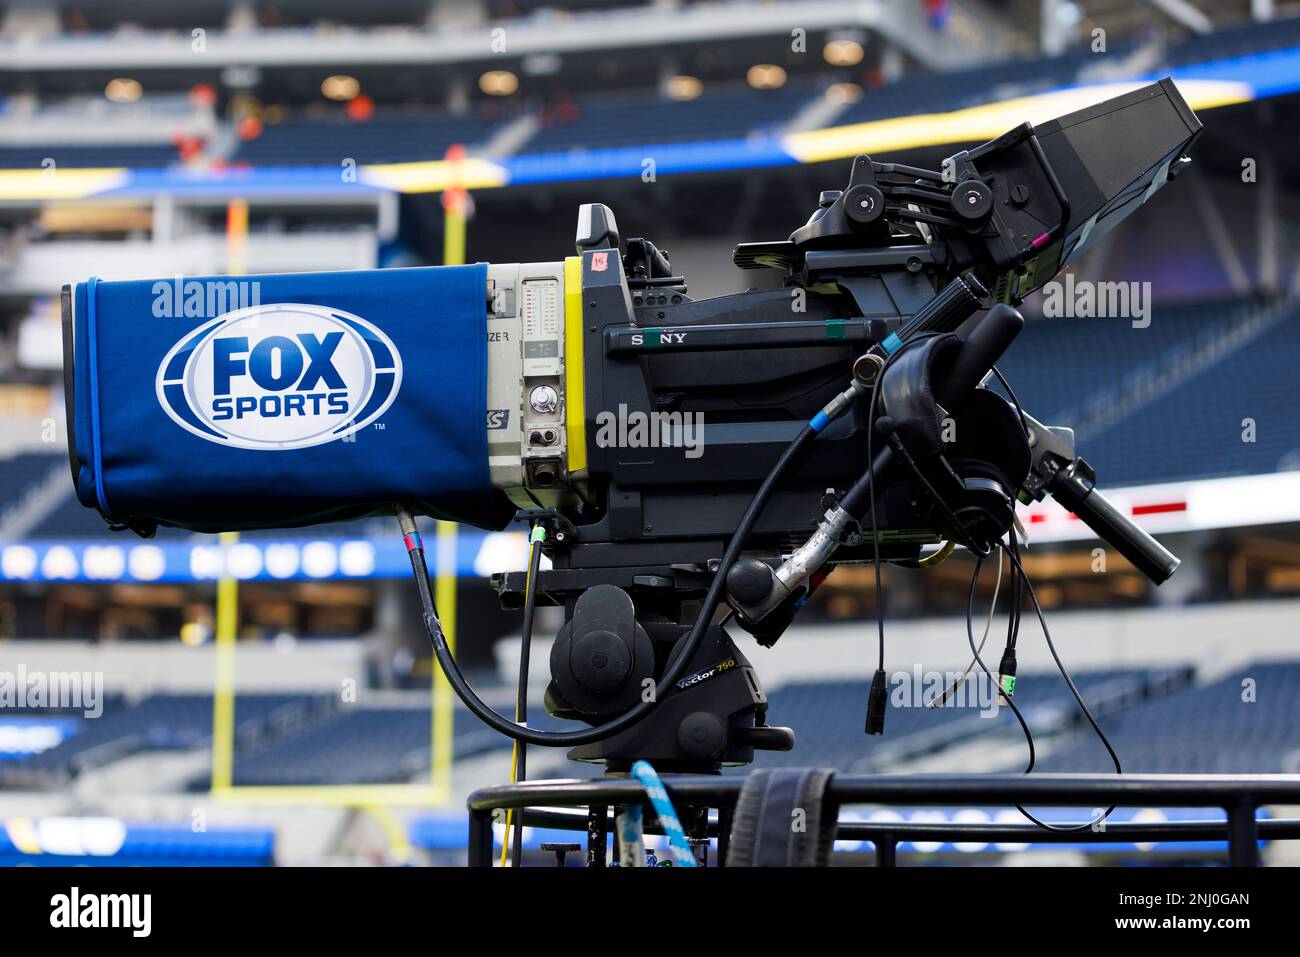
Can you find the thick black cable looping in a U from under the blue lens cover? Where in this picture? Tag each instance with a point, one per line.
(678, 665)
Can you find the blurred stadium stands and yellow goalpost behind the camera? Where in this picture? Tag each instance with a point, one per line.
(138, 138)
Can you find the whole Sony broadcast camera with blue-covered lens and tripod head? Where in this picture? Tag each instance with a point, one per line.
(690, 461)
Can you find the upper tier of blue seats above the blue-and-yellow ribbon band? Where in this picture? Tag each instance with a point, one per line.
(640, 119)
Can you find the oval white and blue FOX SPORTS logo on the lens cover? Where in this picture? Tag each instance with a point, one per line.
(280, 376)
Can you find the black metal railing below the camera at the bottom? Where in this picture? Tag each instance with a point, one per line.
(1241, 796)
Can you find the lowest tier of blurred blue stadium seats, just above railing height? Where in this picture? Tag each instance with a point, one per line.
(1158, 721)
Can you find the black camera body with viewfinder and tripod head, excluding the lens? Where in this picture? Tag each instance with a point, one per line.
(900, 288)
